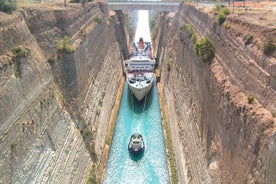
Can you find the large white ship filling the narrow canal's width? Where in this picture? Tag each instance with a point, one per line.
(139, 69)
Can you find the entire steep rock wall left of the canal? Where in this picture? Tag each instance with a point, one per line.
(54, 116)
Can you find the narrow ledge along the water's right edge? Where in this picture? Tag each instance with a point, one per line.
(170, 157)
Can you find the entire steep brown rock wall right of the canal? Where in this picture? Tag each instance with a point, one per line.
(217, 135)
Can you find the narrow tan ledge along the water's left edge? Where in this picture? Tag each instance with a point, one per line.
(110, 131)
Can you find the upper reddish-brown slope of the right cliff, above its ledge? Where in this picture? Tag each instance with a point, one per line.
(246, 65)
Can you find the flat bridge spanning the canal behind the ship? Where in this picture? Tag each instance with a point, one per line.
(145, 5)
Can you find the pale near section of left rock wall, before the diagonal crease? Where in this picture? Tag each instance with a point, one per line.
(37, 134)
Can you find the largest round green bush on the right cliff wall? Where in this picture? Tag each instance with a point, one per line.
(205, 49)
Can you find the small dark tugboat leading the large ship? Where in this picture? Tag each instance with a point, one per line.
(136, 144)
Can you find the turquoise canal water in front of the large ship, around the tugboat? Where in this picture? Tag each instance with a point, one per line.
(142, 118)
